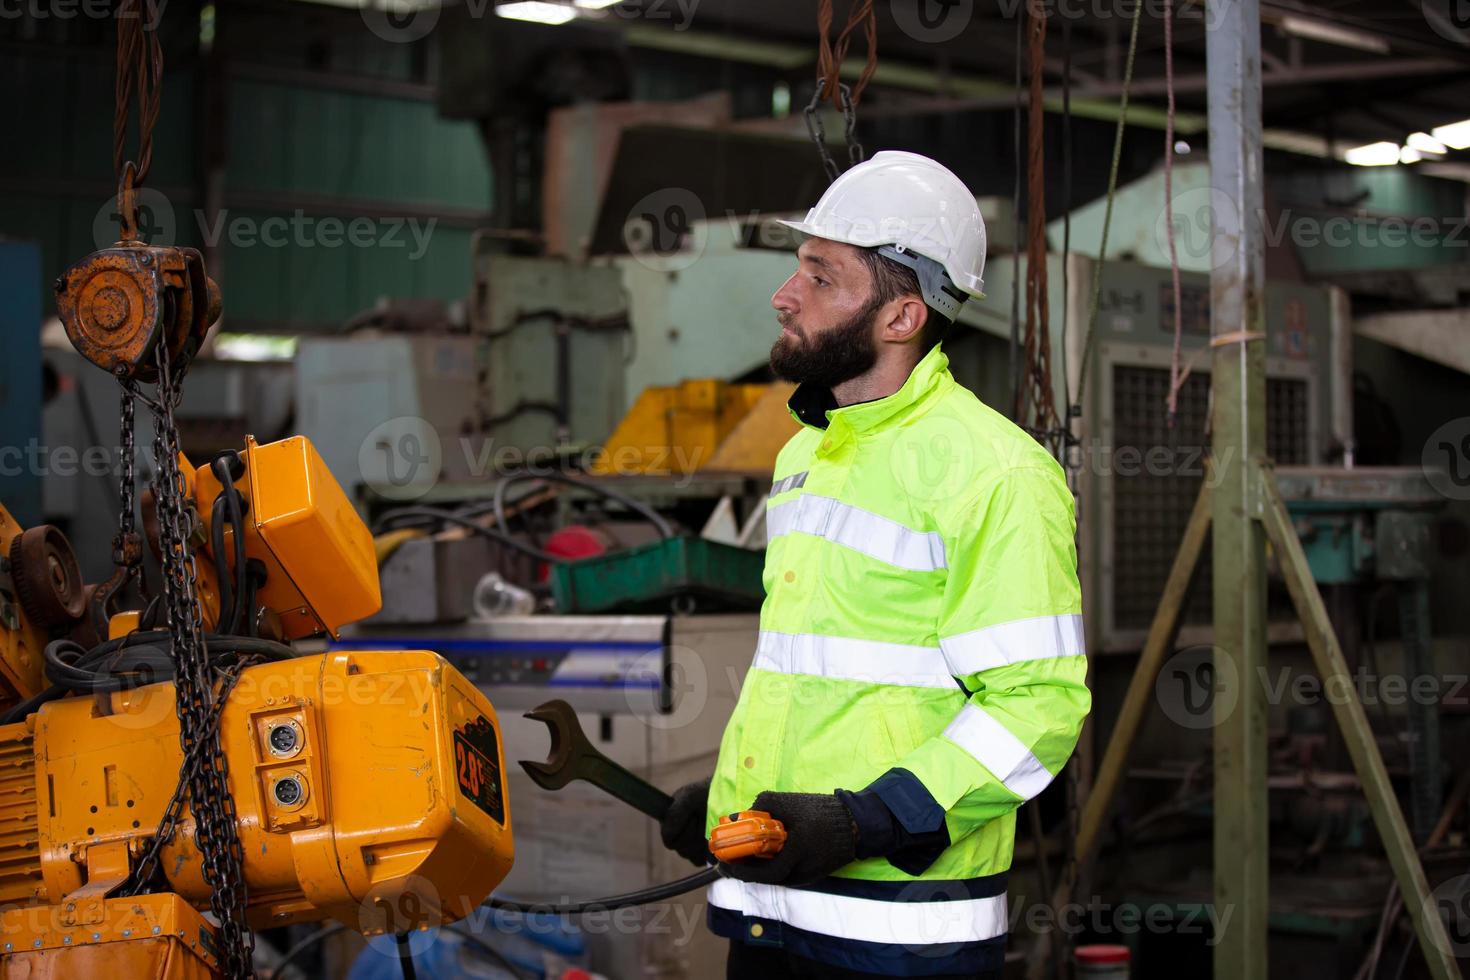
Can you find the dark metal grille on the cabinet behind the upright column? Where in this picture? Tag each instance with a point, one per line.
(1156, 475)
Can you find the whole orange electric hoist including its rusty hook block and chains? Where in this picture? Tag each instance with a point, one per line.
(173, 756)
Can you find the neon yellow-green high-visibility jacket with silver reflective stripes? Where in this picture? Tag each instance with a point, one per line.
(921, 638)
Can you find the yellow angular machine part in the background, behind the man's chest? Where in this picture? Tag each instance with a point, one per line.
(678, 430)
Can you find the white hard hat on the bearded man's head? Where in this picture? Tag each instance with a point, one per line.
(915, 205)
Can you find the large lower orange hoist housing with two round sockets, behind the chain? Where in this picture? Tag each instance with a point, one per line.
(370, 788)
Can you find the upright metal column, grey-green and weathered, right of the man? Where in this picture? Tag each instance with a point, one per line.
(1238, 437)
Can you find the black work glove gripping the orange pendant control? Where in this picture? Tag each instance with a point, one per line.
(821, 838)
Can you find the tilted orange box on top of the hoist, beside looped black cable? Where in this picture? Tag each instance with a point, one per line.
(321, 566)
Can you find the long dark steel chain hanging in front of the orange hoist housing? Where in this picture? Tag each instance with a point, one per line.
(205, 772)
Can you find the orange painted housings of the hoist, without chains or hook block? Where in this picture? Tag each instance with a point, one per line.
(368, 785)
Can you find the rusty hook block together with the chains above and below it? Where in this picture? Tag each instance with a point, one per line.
(177, 306)
